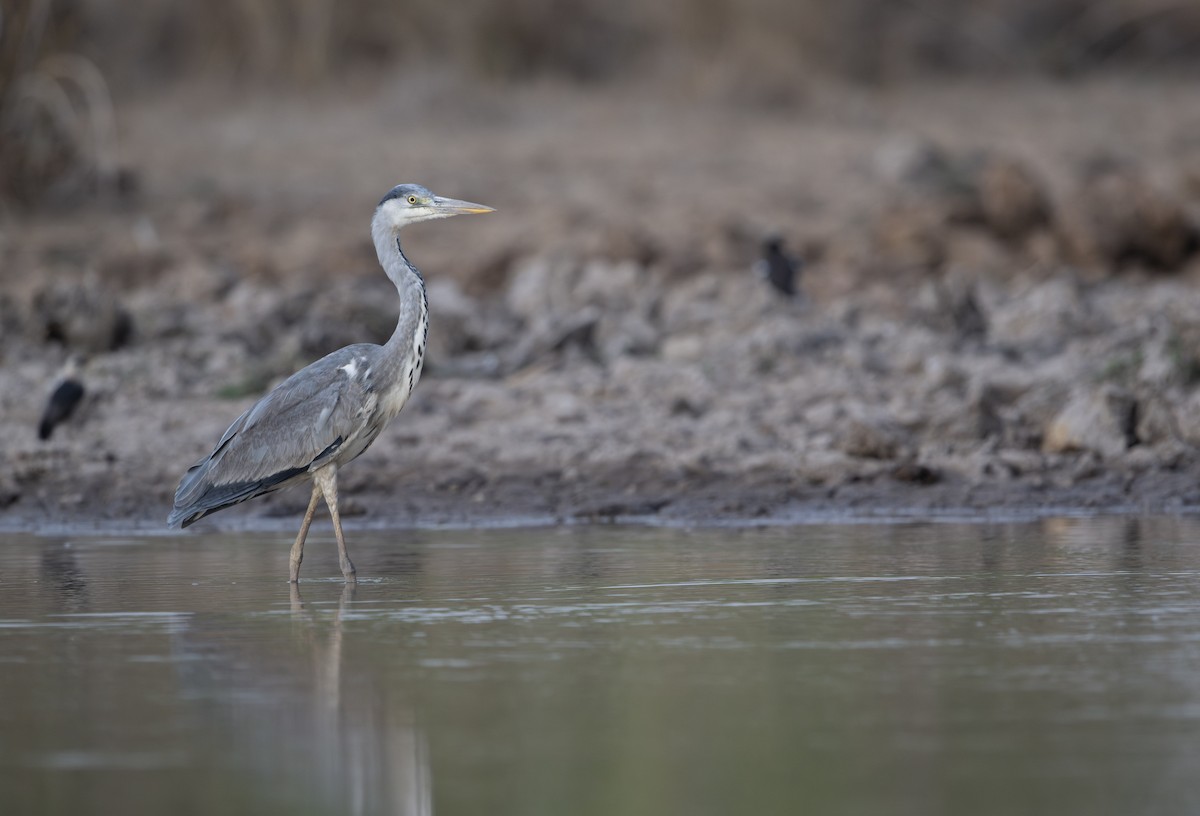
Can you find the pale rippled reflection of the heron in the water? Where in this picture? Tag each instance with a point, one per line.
(319, 727)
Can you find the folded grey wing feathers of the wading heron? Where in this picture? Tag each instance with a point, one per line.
(293, 430)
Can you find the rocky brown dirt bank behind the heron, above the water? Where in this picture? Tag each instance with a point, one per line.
(601, 347)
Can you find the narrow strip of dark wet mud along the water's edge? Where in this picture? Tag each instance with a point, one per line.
(542, 499)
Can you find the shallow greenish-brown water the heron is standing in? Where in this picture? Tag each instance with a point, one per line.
(850, 669)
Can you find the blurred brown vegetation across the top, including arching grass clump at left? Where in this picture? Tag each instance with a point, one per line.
(63, 62)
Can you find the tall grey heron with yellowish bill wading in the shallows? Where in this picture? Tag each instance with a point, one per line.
(329, 412)
